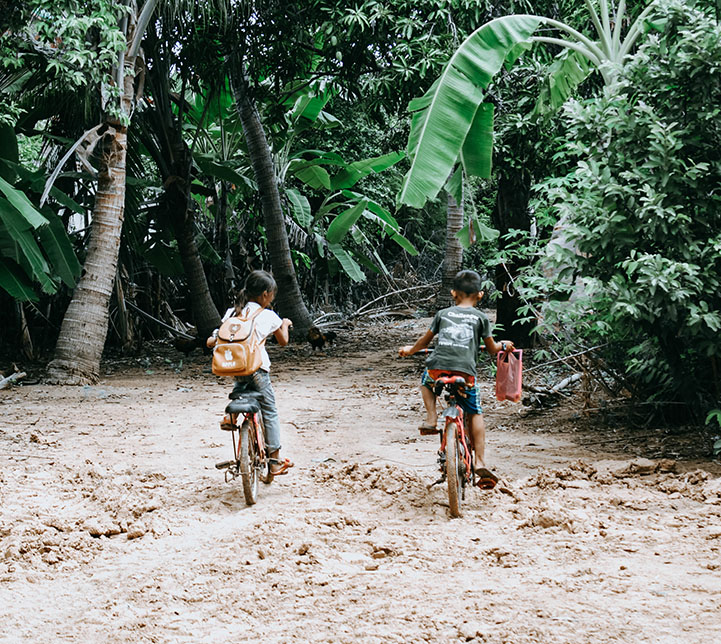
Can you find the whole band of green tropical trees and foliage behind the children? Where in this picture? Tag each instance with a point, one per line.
(153, 152)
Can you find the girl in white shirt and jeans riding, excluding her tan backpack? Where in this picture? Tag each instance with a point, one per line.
(252, 304)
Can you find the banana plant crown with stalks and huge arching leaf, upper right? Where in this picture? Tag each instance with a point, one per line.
(452, 122)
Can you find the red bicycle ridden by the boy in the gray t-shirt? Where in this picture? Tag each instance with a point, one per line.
(455, 455)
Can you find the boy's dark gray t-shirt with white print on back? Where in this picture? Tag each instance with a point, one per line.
(460, 331)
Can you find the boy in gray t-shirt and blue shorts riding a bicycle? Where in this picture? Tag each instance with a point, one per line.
(460, 329)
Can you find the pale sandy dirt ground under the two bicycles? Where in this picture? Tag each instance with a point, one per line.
(115, 525)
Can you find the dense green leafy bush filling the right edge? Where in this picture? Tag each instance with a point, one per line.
(641, 215)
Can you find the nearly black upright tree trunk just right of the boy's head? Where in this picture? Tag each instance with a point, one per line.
(511, 211)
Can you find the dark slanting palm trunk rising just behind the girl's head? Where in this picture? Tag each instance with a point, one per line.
(290, 300)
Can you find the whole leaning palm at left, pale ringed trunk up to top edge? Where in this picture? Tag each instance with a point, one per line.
(85, 324)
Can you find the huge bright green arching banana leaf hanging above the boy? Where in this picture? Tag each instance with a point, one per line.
(444, 117)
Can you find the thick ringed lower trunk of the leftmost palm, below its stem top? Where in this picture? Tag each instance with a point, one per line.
(85, 325)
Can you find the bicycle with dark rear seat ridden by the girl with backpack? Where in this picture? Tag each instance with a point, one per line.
(249, 458)
